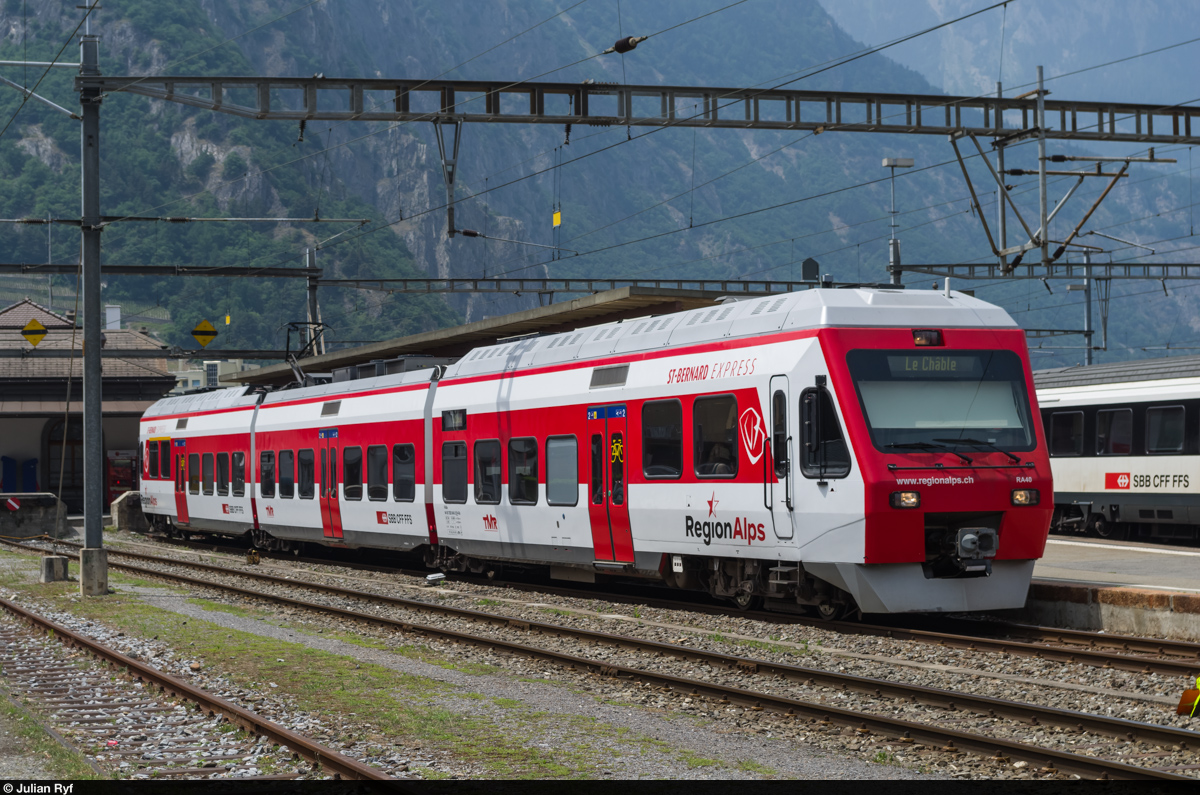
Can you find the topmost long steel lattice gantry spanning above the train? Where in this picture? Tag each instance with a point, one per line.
(601, 105)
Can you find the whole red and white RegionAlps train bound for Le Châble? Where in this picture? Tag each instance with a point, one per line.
(878, 450)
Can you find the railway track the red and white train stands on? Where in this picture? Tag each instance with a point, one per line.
(1123, 653)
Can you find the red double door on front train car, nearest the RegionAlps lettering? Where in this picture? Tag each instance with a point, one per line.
(608, 493)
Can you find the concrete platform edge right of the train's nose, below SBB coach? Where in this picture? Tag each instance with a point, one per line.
(1118, 587)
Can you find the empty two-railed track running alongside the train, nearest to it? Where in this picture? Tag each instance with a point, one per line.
(1118, 734)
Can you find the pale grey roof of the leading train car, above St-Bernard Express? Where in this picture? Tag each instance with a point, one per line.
(862, 308)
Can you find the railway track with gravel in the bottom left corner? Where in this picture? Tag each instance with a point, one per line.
(141, 733)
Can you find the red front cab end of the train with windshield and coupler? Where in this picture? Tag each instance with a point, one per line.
(957, 482)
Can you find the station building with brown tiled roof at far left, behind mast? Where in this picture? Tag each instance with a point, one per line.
(41, 404)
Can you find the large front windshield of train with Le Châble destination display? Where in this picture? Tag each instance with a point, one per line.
(946, 401)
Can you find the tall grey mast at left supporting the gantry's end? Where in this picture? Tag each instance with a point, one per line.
(93, 564)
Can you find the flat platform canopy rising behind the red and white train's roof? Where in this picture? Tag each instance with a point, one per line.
(608, 307)
